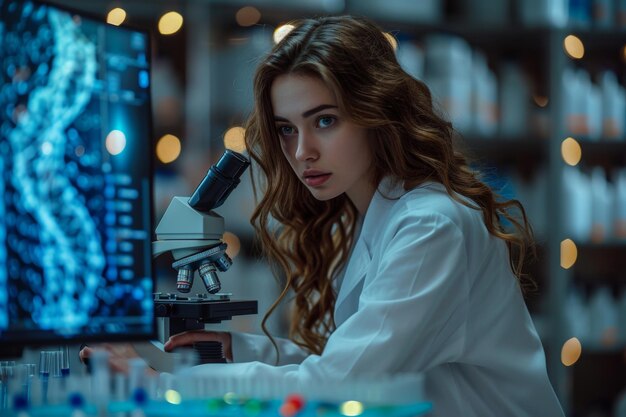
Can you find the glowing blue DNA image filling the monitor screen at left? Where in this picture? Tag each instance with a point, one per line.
(75, 177)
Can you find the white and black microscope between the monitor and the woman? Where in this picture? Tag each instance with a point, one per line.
(192, 232)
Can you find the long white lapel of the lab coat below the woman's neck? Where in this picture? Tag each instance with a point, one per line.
(361, 257)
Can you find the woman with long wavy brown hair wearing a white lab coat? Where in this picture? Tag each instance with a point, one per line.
(395, 251)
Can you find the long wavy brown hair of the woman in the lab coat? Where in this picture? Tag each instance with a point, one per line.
(309, 240)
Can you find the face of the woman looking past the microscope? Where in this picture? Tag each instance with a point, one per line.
(328, 153)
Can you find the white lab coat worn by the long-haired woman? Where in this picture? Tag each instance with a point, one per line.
(426, 290)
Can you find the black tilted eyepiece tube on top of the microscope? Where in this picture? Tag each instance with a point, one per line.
(221, 179)
